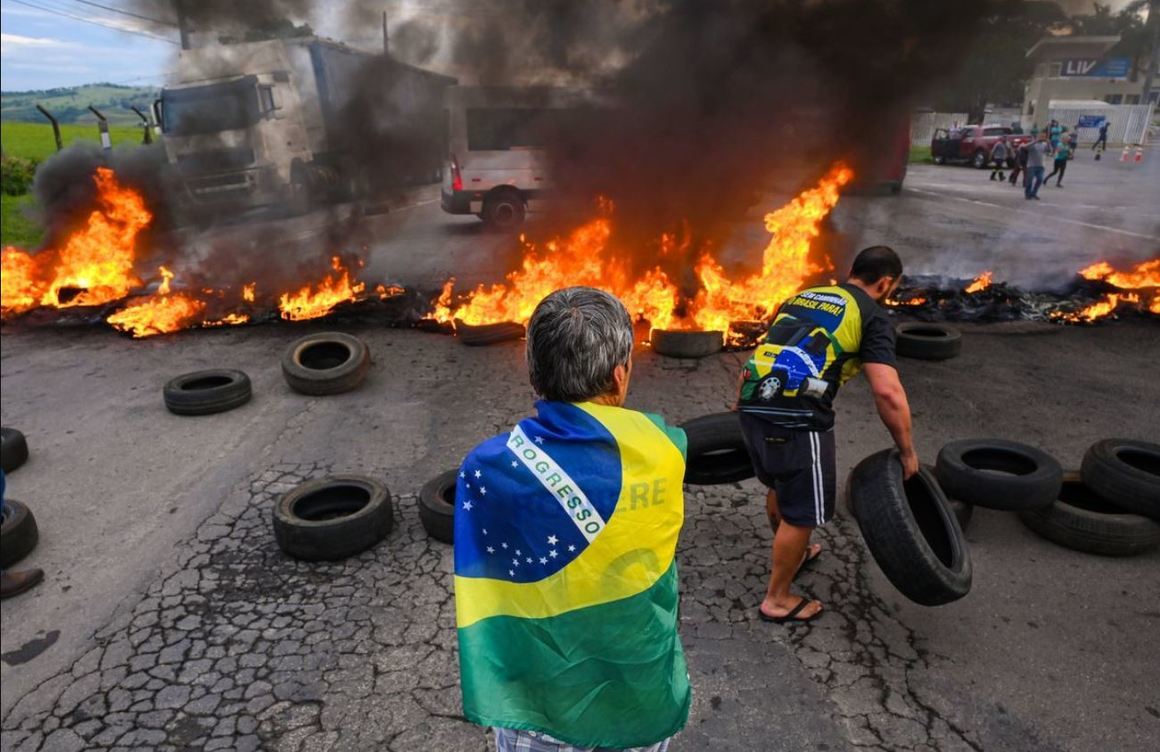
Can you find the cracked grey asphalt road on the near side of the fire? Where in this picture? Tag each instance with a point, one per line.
(180, 625)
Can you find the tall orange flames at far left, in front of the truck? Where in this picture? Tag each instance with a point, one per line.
(97, 264)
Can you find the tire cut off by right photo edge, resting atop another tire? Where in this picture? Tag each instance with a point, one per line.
(1127, 474)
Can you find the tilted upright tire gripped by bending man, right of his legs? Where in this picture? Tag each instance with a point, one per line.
(913, 536)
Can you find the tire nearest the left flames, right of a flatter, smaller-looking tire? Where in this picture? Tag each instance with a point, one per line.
(335, 364)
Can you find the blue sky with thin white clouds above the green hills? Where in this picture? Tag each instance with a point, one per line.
(42, 47)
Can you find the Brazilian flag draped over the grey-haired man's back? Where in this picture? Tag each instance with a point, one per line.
(565, 579)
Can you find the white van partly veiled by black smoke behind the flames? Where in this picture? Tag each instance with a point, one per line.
(498, 169)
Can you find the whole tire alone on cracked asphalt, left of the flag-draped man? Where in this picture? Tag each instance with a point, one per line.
(304, 529)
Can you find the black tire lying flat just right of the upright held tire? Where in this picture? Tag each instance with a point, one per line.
(998, 474)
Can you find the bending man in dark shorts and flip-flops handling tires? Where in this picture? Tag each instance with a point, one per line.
(820, 339)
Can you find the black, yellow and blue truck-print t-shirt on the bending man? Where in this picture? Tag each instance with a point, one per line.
(820, 341)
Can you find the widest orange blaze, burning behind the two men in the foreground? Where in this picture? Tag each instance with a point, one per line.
(584, 258)
